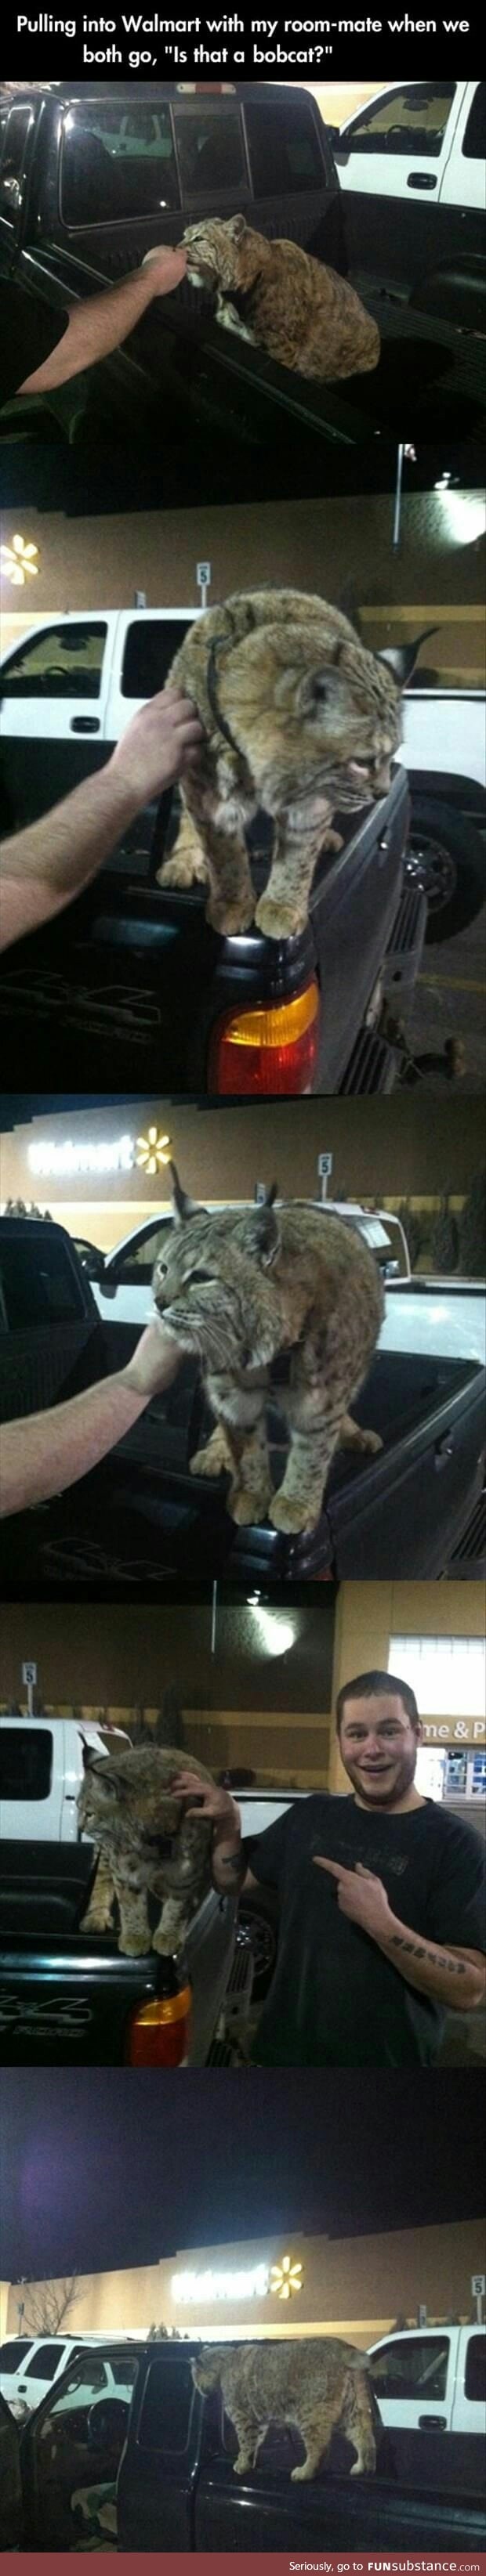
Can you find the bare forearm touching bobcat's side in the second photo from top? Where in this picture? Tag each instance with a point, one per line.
(48, 864)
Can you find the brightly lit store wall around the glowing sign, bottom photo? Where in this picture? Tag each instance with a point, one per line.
(348, 2286)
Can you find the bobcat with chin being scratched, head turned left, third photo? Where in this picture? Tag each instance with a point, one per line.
(243, 1289)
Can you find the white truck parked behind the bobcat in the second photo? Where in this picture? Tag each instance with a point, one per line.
(73, 687)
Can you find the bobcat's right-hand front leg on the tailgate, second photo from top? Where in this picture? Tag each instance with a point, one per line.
(300, 838)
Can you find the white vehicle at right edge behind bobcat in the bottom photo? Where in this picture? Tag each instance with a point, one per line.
(433, 2379)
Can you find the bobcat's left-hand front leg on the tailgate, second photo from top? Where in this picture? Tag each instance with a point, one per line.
(220, 826)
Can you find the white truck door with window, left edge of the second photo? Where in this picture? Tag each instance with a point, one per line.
(53, 692)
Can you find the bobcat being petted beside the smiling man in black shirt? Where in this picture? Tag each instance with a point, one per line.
(148, 1843)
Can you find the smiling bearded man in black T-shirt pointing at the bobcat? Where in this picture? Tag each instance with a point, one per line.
(379, 1900)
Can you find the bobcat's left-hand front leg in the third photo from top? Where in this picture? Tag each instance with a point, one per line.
(243, 1418)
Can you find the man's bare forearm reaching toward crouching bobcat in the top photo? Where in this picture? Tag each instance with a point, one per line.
(94, 331)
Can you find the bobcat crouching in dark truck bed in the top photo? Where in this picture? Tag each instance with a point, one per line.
(276, 298)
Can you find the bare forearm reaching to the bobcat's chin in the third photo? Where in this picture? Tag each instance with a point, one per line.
(53, 1452)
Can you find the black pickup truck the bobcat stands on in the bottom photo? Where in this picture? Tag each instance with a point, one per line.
(156, 2472)
